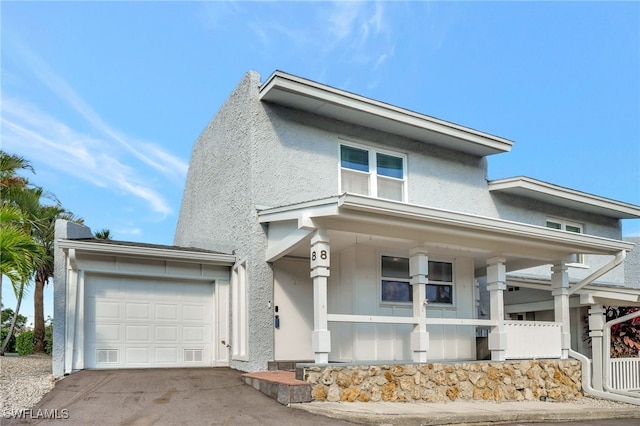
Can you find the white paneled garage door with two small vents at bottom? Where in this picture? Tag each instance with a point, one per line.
(139, 323)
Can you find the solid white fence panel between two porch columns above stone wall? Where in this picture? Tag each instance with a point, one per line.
(533, 339)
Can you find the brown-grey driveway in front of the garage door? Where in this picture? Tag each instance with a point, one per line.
(195, 396)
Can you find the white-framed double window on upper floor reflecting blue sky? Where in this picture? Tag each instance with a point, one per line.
(372, 172)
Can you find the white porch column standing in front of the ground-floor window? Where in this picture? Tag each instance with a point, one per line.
(419, 272)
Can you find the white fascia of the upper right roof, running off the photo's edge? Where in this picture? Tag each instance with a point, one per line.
(566, 193)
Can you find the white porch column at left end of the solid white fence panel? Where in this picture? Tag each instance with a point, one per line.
(496, 284)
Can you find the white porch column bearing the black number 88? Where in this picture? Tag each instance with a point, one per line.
(320, 260)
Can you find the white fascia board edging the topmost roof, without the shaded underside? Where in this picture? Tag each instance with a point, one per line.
(351, 100)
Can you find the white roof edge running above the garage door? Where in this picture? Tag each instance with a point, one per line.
(126, 249)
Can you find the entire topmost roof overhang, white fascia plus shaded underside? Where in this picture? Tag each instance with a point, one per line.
(295, 92)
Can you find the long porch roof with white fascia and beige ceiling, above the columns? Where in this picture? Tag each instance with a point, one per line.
(355, 219)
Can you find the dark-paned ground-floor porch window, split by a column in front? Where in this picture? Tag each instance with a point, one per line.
(396, 287)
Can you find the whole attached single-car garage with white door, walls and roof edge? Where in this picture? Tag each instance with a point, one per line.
(131, 305)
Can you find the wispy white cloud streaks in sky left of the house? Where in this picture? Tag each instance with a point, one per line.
(103, 156)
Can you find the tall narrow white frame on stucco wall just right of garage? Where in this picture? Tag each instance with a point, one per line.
(239, 312)
